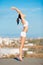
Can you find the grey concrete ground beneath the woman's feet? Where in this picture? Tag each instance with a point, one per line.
(26, 61)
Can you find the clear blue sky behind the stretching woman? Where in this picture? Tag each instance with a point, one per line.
(33, 9)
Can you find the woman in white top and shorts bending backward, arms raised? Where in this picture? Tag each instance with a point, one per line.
(21, 17)
